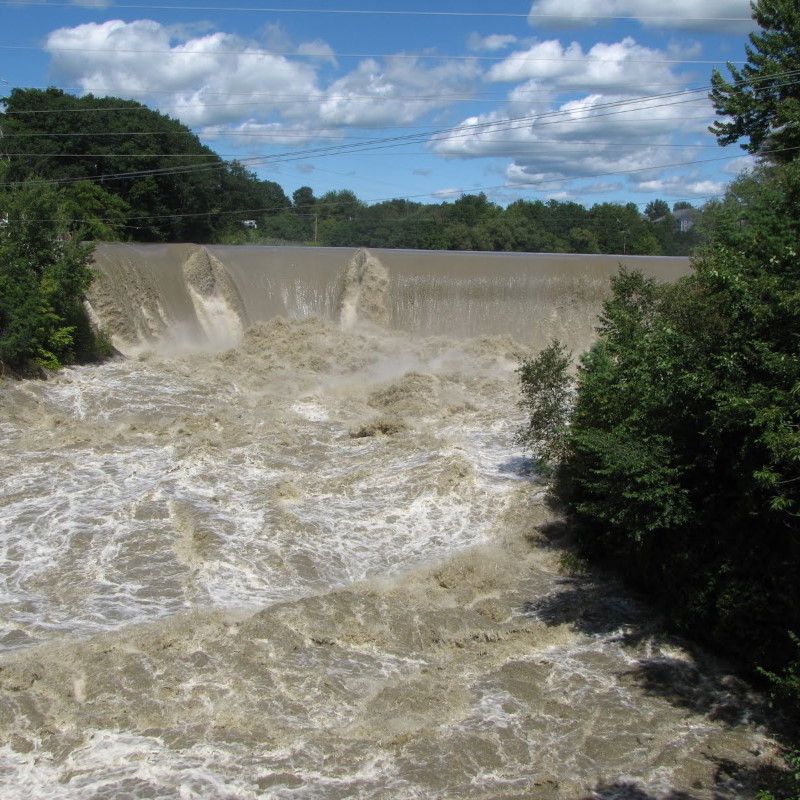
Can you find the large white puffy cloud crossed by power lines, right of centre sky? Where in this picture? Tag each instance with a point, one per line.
(607, 132)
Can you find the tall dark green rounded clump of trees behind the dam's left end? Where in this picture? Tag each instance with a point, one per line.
(161, 184)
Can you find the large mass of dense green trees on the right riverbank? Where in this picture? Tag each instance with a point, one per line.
(683, 451)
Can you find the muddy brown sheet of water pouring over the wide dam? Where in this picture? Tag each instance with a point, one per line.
(209, 295)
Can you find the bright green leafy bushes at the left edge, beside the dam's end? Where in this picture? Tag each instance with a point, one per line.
(44, 274)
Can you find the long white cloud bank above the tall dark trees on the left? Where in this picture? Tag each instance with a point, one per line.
(219, 80)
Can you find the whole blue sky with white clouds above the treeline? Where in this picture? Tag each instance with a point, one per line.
(424, 100)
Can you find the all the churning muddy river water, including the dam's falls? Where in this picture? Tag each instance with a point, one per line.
(285, 548)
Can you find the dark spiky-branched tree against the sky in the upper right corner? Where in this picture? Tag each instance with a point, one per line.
(761, 102)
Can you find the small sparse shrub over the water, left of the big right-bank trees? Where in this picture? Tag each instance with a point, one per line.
(546, 397)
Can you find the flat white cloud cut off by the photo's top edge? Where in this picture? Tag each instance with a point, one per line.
(686, 15)
